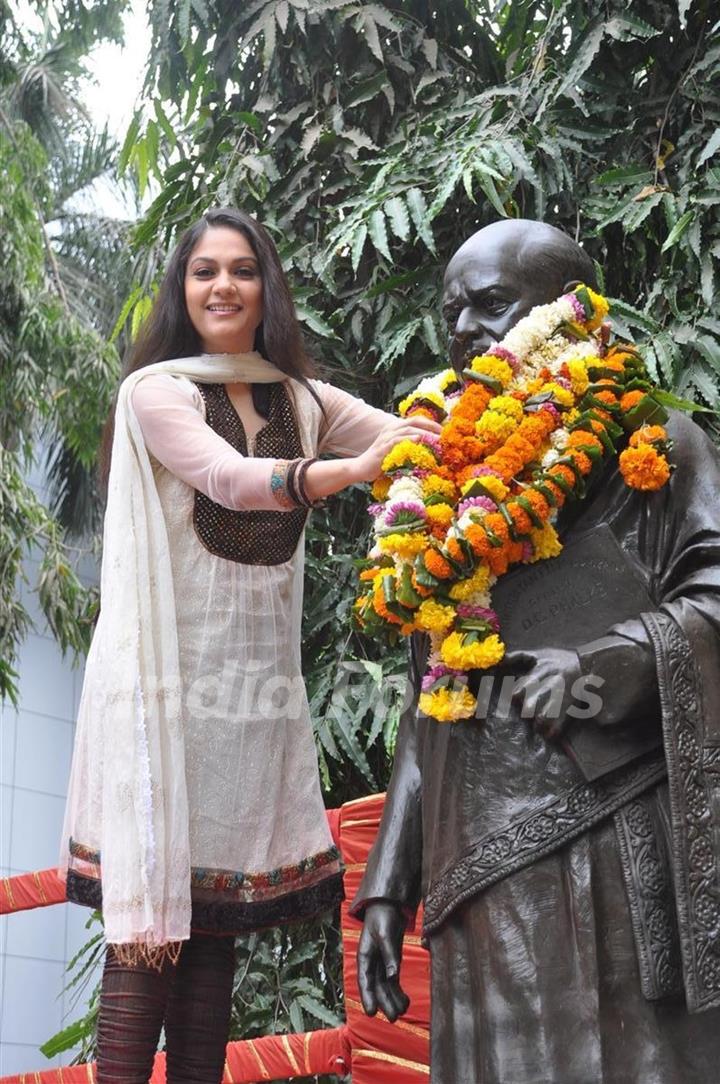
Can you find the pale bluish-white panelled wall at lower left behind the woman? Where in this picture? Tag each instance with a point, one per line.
(35, 759)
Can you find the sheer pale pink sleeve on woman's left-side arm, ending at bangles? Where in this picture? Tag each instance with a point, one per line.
(171, 415)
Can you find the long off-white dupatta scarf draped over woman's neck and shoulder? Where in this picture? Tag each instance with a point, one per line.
(131, 708)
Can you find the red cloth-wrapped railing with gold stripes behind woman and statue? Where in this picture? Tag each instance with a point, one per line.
(379, 1052)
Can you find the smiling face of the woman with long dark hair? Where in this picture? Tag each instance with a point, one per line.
(224, 291)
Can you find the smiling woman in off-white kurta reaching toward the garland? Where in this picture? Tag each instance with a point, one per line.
(195, 799)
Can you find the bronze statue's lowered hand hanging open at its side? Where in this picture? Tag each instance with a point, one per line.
(379, 961)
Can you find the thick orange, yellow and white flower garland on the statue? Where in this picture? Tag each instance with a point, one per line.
(520, 437)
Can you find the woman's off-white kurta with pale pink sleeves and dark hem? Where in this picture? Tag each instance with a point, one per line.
(261, 848)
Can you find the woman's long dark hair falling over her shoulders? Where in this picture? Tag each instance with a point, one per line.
(169, 332)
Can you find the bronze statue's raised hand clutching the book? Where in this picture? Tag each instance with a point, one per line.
(544, 691)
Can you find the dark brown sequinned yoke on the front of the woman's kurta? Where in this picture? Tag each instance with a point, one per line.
(251, 538)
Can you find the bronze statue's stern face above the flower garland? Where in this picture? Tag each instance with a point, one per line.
(486, 292)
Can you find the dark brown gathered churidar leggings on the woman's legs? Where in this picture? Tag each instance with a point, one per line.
(191, 999)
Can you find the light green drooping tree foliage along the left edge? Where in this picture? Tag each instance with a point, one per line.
(57, 373)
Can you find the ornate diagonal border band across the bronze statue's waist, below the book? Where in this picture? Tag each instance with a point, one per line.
(542, 833)
